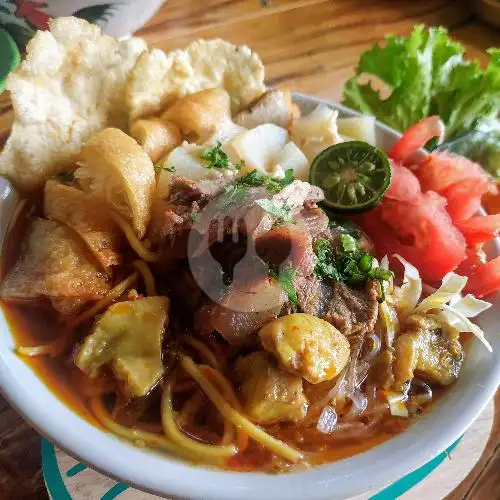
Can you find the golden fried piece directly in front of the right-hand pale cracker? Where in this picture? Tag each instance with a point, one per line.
(201, 113)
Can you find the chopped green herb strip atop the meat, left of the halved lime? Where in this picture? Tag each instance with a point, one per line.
(235, 193)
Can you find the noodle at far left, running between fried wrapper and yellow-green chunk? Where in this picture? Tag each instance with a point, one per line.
(61, 343)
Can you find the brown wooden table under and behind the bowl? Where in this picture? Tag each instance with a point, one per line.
(309, 46)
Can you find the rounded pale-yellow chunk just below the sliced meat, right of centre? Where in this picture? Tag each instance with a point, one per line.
(306, 345)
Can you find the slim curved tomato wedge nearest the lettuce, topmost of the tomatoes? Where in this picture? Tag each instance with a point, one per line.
(416, 137)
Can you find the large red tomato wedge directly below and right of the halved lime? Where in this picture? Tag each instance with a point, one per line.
(421, 232)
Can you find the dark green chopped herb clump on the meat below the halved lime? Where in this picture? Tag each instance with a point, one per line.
(348, 263)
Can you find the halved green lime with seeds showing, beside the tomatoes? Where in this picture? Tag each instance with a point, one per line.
(354, 175)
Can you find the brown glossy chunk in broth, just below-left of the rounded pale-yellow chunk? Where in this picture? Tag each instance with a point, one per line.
(270, 395)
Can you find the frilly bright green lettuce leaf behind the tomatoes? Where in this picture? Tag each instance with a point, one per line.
(427, 74)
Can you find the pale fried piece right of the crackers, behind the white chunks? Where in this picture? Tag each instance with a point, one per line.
(275, 106)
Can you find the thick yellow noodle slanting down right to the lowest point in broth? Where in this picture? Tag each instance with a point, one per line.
(234, 416)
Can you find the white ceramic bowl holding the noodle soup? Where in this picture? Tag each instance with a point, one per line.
(166, 476)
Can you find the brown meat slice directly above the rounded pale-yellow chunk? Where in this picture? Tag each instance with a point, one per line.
(351, 310)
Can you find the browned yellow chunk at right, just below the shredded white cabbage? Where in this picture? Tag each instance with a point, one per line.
(434, 353)
